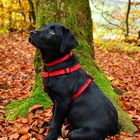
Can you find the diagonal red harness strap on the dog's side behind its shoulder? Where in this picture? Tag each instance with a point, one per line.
(80, 91)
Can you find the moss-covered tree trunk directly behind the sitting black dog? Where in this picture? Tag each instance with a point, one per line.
(75, 14)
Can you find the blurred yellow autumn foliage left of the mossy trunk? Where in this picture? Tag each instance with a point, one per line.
(17, 15)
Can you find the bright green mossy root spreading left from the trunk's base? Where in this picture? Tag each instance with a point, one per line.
(20, 107)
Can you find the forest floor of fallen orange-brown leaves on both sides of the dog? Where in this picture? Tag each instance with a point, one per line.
(17, 76)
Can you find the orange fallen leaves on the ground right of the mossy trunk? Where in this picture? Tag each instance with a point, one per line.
(122, 69)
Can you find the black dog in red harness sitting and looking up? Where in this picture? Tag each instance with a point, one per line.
(90, 114)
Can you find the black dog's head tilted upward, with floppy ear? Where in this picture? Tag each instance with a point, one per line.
(53, 37)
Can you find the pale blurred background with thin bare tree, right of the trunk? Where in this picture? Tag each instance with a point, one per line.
(122, 17)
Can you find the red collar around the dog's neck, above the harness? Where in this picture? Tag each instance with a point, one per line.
(59, 60)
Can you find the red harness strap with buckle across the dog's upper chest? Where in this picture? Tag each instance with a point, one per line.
(60, 72)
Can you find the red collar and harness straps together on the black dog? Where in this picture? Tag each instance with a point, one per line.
(66, 71)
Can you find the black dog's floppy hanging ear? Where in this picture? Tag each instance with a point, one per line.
(69, 41)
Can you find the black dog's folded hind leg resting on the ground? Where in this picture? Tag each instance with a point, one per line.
(84, 133)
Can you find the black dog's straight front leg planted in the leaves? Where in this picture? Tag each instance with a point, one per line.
(61, 108)
